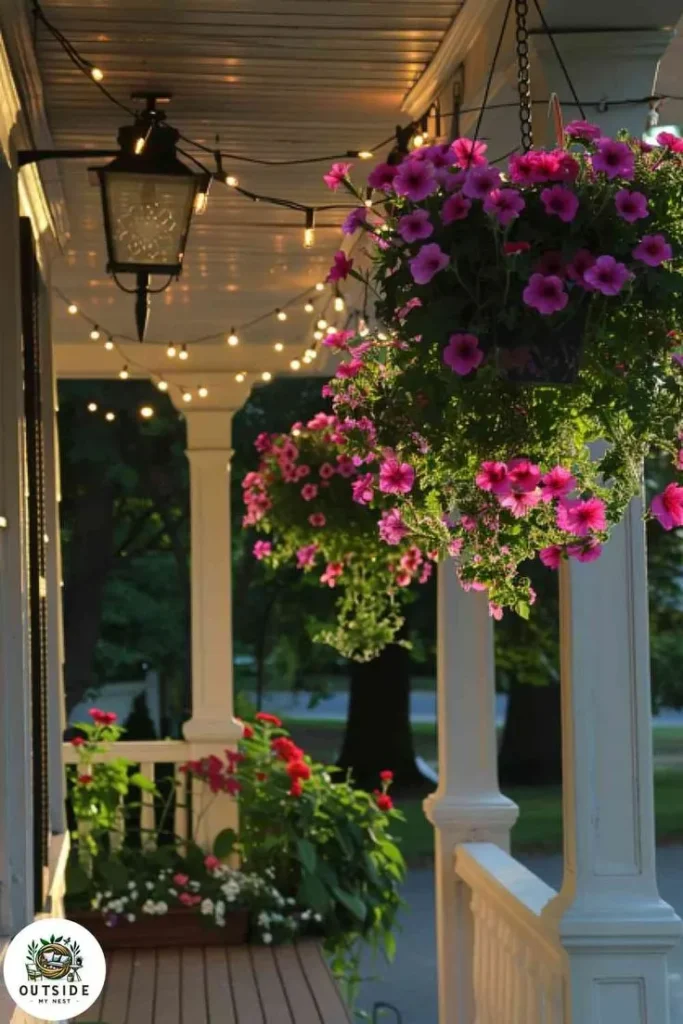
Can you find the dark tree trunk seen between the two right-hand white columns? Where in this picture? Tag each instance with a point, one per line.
(532, 749)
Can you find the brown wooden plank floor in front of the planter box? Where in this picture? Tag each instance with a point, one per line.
(236, 986)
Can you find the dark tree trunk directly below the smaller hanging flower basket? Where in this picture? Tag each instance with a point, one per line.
(378, 733)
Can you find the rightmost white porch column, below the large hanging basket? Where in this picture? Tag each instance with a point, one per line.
(612, 922)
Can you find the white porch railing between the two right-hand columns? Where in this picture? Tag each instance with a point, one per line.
(520, 968)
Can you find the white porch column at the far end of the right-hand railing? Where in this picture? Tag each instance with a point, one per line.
(467, 805)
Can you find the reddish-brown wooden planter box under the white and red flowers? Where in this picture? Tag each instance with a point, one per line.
(180, 927)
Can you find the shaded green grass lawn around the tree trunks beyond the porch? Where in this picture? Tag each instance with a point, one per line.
(540, 825)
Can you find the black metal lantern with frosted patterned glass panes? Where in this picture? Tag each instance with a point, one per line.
(148, 200)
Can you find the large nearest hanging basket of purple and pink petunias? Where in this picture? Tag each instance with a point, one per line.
(527, 317)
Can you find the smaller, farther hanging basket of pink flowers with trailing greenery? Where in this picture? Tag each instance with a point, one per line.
(319, 507)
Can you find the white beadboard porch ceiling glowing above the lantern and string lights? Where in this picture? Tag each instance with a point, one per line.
(276, 79)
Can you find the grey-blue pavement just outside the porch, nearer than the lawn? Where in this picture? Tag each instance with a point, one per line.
(410, 984)
